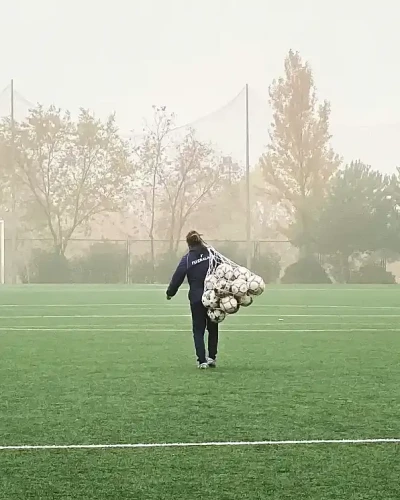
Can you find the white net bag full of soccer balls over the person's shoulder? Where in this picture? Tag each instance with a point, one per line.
(228, 287)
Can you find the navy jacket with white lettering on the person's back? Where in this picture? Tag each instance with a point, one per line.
(194, 266)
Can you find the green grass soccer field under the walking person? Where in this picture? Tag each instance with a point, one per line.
(111, 365)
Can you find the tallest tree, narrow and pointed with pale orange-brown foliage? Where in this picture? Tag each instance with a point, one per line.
(299, 161)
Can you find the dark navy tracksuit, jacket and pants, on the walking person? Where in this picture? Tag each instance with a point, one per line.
(194, 266)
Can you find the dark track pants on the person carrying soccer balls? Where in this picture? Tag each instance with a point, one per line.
(200, 322)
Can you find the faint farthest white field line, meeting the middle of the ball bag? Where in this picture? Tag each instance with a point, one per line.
(185, 305)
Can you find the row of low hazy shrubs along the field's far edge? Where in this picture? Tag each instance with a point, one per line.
(109, 263)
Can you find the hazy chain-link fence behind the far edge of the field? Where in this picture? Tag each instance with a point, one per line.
(129, 261)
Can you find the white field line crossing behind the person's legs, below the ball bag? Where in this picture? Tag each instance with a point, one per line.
(176, 330)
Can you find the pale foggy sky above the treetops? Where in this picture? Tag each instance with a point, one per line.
(194, 56)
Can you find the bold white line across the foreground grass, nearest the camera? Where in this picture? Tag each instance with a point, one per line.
(205, 444)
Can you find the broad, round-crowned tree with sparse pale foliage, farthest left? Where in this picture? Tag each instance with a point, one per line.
(72, 170)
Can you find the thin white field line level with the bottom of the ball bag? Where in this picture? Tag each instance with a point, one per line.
(153, 316)
